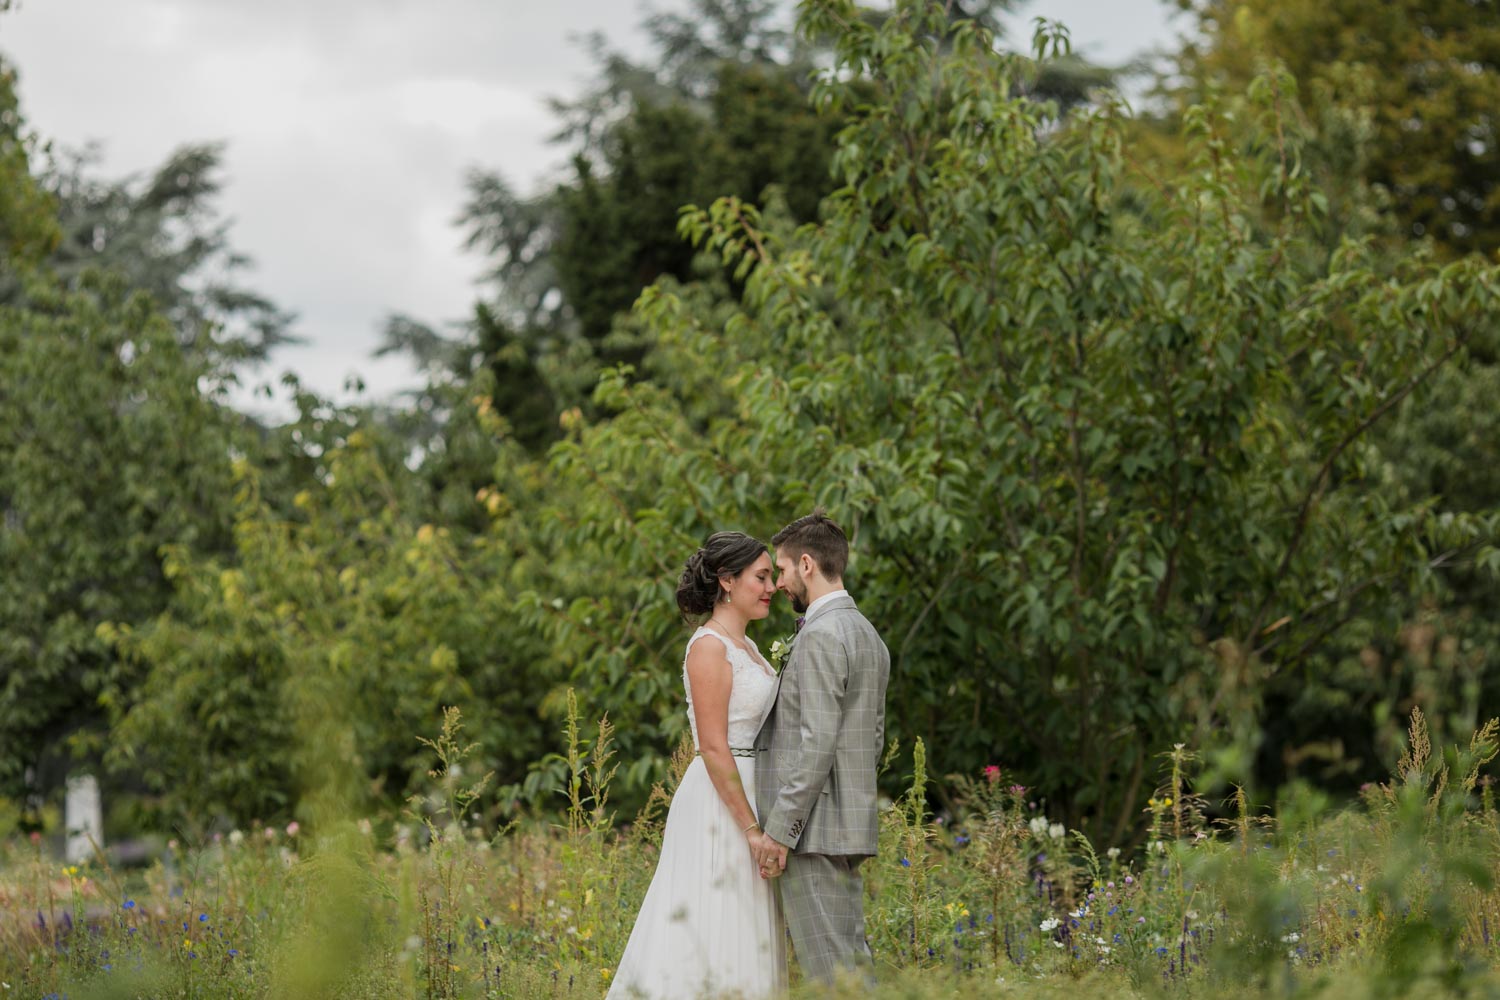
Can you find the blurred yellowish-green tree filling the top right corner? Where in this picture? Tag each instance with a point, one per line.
(1424, 74)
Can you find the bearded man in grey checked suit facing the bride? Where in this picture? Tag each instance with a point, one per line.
(818, 752)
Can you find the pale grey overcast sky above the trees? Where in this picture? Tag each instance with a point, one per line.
(350, 125)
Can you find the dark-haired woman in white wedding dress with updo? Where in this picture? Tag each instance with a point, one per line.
(710, 926)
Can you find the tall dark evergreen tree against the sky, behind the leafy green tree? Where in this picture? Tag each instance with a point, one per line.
(721, 110)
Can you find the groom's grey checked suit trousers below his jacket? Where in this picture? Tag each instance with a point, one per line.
(823, 899)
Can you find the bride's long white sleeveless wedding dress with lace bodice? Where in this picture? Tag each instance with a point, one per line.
(710, 926)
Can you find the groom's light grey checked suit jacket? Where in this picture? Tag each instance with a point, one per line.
(823, 737)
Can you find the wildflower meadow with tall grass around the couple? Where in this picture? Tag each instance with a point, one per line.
(1393, 897)
